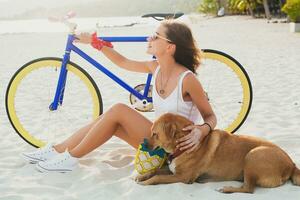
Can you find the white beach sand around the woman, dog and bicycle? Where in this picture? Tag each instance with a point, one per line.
(269, 53)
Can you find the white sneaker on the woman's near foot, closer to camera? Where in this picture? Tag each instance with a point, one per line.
(63, 162)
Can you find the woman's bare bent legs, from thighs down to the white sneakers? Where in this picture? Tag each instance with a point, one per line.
(121, 121)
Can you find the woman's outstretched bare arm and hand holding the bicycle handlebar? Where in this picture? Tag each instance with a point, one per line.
(118, 59)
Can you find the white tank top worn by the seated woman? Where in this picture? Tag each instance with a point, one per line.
(174, 103)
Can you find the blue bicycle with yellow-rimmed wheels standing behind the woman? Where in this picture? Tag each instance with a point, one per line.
(219, 74)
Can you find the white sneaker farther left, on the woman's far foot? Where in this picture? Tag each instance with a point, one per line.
(42, 154)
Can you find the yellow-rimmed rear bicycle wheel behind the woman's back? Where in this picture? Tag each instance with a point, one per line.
(228, 89)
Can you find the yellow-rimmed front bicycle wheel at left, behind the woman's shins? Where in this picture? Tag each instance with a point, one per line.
(31, 91)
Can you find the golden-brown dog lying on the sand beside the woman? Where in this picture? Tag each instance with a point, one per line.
(220, 157)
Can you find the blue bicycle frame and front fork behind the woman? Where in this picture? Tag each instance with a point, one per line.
(58, 98)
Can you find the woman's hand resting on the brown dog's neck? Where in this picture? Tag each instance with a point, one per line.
(192, 140)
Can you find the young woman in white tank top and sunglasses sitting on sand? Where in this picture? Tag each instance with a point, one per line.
(176, 90)
